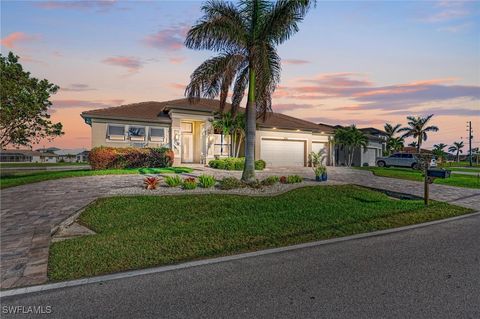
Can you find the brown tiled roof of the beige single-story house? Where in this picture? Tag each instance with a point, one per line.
(158, 112)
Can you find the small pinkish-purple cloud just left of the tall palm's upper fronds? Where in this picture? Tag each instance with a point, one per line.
(168, 39)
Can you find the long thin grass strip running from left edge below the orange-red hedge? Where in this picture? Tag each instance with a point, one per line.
(17, 179)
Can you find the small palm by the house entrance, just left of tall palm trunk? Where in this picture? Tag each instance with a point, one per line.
(233, 127)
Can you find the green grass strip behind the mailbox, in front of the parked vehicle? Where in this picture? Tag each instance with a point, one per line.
(468, 181)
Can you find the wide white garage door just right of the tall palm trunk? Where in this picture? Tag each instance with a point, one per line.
(283, 152)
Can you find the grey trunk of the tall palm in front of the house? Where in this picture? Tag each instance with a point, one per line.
(251, 126)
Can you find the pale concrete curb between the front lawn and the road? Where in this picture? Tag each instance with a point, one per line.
(134, 273)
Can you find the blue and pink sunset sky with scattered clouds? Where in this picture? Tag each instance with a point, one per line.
(352, 62)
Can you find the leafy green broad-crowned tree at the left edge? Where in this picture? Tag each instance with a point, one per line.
(24, 104)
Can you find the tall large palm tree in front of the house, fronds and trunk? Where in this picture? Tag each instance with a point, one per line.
(246, 37)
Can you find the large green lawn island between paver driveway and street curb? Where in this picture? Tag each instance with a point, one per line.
(146, 231)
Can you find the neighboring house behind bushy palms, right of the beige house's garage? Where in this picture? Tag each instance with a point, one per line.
(364, 156)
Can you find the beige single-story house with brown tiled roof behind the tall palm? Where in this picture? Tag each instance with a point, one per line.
(281, 140)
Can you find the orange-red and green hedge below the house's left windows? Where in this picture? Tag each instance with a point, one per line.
(130, 157)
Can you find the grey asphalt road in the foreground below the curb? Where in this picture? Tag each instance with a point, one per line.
(431, 272)
